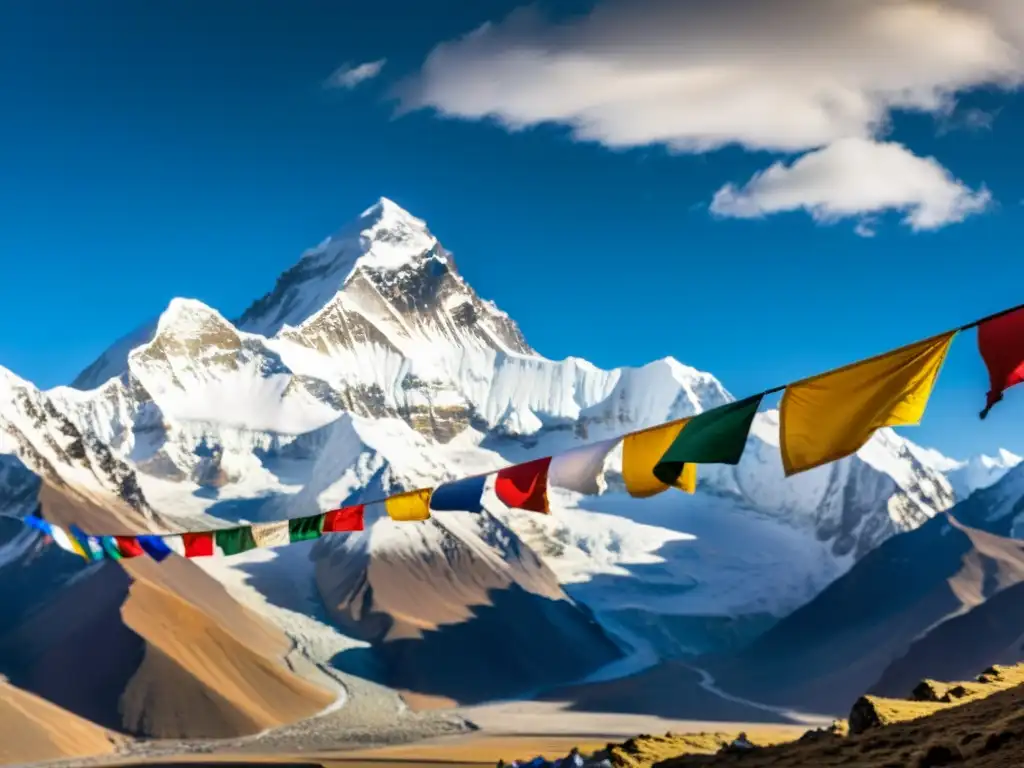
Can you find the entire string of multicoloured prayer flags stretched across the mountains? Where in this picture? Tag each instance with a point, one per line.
(823, 419)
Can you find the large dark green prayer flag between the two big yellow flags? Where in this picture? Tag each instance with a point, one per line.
(716, 437)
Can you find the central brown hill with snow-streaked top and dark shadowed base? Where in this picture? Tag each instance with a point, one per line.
(475, 625)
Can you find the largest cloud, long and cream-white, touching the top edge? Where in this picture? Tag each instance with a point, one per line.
(787, 75)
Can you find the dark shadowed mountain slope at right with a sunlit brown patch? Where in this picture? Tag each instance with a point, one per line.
(941, 602)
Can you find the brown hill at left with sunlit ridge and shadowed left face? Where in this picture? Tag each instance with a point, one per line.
(154, 650)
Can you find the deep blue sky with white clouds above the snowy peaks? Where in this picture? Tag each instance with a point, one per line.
(191, 149)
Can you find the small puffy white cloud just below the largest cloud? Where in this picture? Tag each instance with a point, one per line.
(857, 178)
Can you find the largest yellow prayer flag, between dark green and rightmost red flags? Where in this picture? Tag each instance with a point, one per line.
(835, 414)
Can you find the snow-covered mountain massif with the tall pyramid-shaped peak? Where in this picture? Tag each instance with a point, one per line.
(372, 364)
